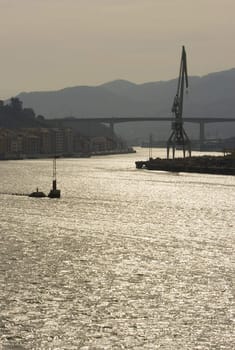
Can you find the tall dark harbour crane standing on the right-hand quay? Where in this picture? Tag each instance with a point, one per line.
(178, 135)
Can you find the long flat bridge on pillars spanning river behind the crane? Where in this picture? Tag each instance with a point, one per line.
(116, 120)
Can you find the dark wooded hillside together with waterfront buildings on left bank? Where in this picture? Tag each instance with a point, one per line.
(23, 135)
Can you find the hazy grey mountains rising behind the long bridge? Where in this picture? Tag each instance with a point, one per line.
(212, 95)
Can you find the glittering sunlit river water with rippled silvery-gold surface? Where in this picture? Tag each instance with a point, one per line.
(126, 259)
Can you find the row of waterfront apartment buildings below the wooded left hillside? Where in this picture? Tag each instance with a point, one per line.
(39, 142)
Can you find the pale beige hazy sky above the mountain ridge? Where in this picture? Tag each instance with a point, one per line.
(51, 44)
